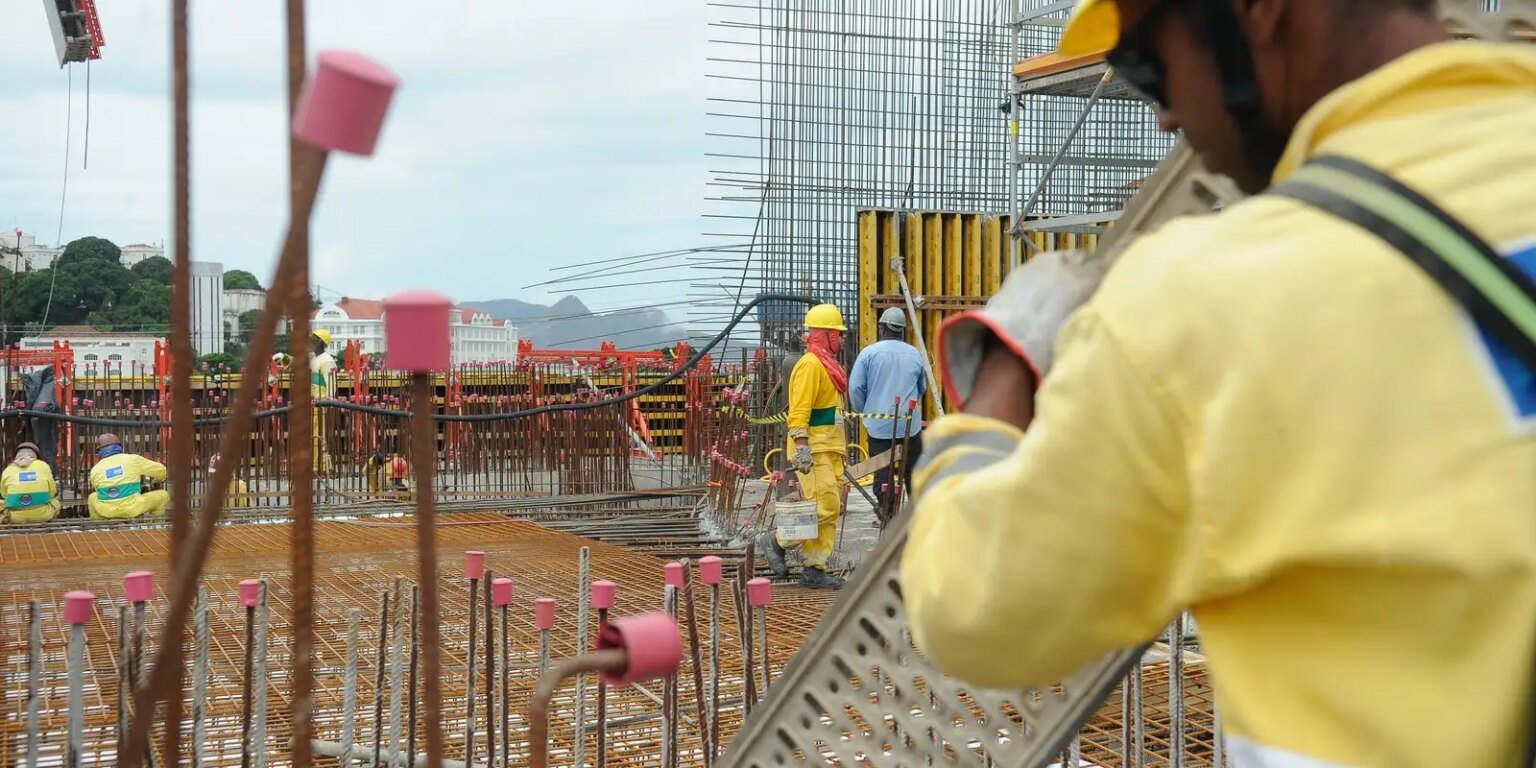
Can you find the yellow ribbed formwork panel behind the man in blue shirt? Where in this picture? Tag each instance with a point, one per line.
(953, 262)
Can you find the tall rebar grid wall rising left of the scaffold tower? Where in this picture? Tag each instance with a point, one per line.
(824, 108)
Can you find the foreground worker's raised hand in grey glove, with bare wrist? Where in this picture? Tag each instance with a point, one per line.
(1021, 323)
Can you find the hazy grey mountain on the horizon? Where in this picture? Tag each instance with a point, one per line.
(571, 325)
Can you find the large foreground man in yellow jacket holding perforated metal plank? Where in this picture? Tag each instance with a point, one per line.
(1268, 415)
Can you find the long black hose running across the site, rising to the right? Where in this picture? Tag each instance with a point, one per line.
(457, 419)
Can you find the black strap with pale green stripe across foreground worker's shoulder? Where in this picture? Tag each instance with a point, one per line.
(1489, 286)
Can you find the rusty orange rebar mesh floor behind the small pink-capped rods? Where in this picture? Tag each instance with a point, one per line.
(357, 564)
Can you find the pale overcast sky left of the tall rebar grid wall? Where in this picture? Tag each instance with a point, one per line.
(525, 134)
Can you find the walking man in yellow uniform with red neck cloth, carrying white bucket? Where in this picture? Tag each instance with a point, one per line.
(818, 446)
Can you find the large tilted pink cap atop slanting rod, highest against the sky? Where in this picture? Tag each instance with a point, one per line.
(343, 104)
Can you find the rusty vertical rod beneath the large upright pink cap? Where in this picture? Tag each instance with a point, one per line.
(425, 454)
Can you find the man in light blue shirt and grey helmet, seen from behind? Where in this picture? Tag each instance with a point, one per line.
(886, 372)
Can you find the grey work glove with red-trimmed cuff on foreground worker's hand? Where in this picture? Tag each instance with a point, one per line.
(1025, 317)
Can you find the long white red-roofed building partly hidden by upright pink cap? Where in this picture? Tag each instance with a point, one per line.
(475, 337)
